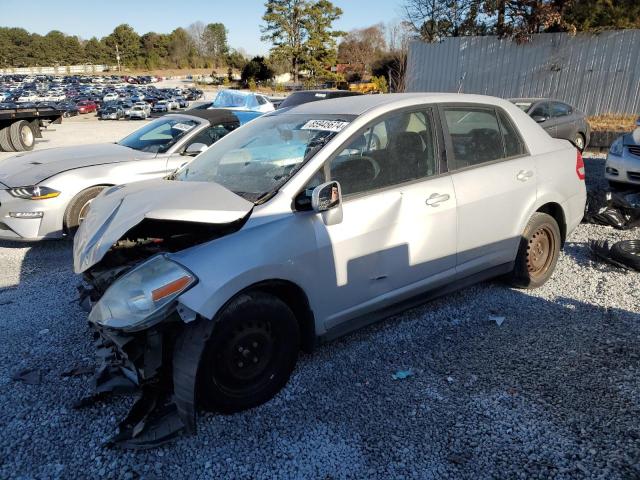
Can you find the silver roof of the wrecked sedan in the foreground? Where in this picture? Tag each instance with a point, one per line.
(359, 104)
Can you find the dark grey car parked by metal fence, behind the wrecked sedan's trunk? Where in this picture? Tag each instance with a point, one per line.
(559, 119)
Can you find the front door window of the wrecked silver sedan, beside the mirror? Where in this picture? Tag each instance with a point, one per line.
(398, 149)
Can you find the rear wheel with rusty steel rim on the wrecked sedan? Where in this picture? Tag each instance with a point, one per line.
(538, 252)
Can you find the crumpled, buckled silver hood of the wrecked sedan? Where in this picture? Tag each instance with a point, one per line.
(118, 209)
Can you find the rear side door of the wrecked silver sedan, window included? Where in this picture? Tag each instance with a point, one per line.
(494, 179)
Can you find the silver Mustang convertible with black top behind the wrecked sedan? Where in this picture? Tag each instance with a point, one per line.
(46, 194)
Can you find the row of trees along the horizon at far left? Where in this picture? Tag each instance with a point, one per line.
(198, 46)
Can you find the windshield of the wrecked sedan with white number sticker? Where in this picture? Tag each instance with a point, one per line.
(259, 158)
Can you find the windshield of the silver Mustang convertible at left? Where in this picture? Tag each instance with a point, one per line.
(159, 135)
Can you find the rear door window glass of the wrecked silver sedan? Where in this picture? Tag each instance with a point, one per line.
(475, 135)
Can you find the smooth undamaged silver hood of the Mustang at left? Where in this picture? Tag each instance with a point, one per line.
(31, 168)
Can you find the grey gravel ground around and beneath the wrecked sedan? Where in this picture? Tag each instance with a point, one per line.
(553, 392)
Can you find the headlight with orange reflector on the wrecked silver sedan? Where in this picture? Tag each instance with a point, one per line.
(140, 298)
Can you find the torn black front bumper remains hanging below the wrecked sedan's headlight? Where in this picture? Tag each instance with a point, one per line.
(160, 365)
